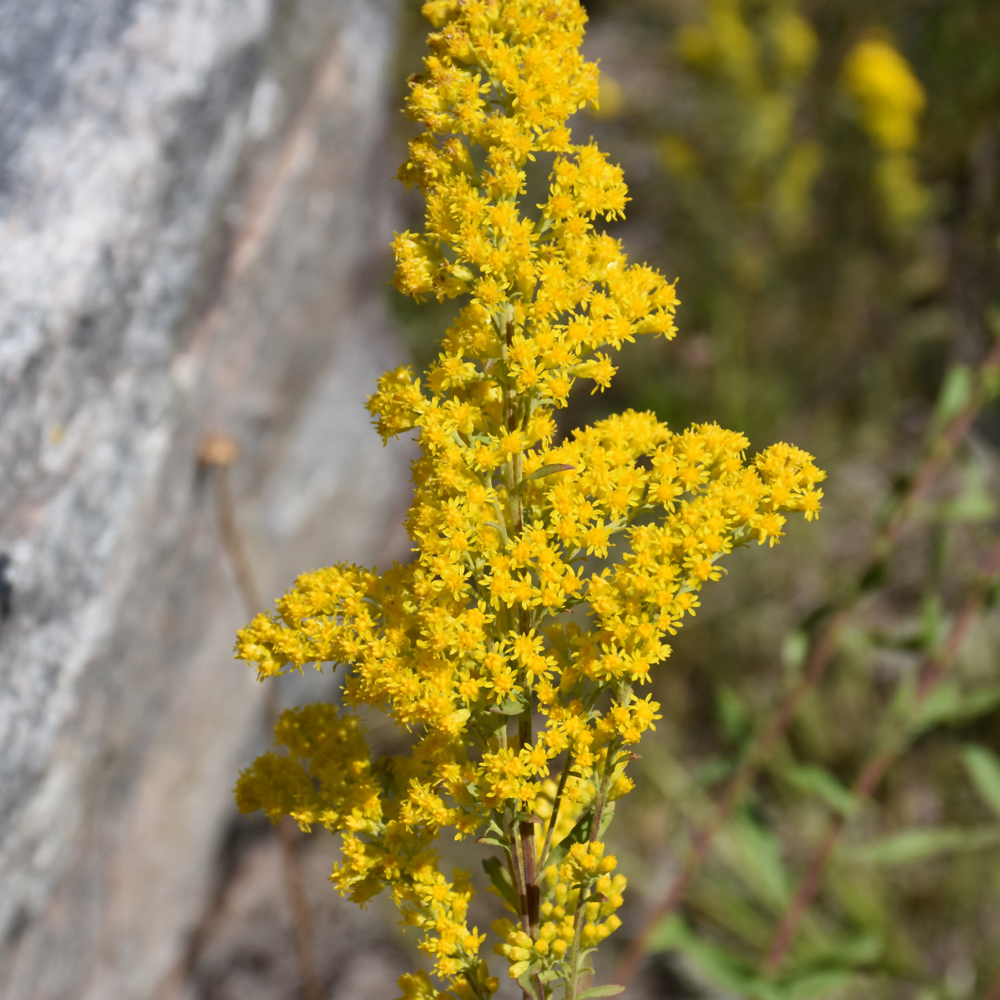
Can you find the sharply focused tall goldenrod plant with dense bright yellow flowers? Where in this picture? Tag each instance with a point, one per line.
(548, 573)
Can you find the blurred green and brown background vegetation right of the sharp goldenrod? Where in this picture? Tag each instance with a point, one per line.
(824, 180)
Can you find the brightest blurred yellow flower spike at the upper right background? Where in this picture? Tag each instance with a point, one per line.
(891, 100)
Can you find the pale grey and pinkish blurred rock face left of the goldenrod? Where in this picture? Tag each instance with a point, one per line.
(192, 211)
